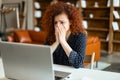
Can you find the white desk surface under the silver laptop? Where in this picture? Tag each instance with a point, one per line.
(80, 74)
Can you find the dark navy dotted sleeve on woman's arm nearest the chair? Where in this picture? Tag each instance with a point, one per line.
(76, 57)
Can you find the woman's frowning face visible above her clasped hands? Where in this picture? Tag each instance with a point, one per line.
(62, 20)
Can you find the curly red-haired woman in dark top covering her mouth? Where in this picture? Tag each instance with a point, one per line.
(66, 34)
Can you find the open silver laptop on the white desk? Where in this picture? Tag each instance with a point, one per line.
(28, 62)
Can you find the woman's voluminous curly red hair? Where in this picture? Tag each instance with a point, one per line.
(53, 10)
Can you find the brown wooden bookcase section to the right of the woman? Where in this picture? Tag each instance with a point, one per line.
(101, 24)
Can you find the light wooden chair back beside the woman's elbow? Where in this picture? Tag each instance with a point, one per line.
(90, 59)
